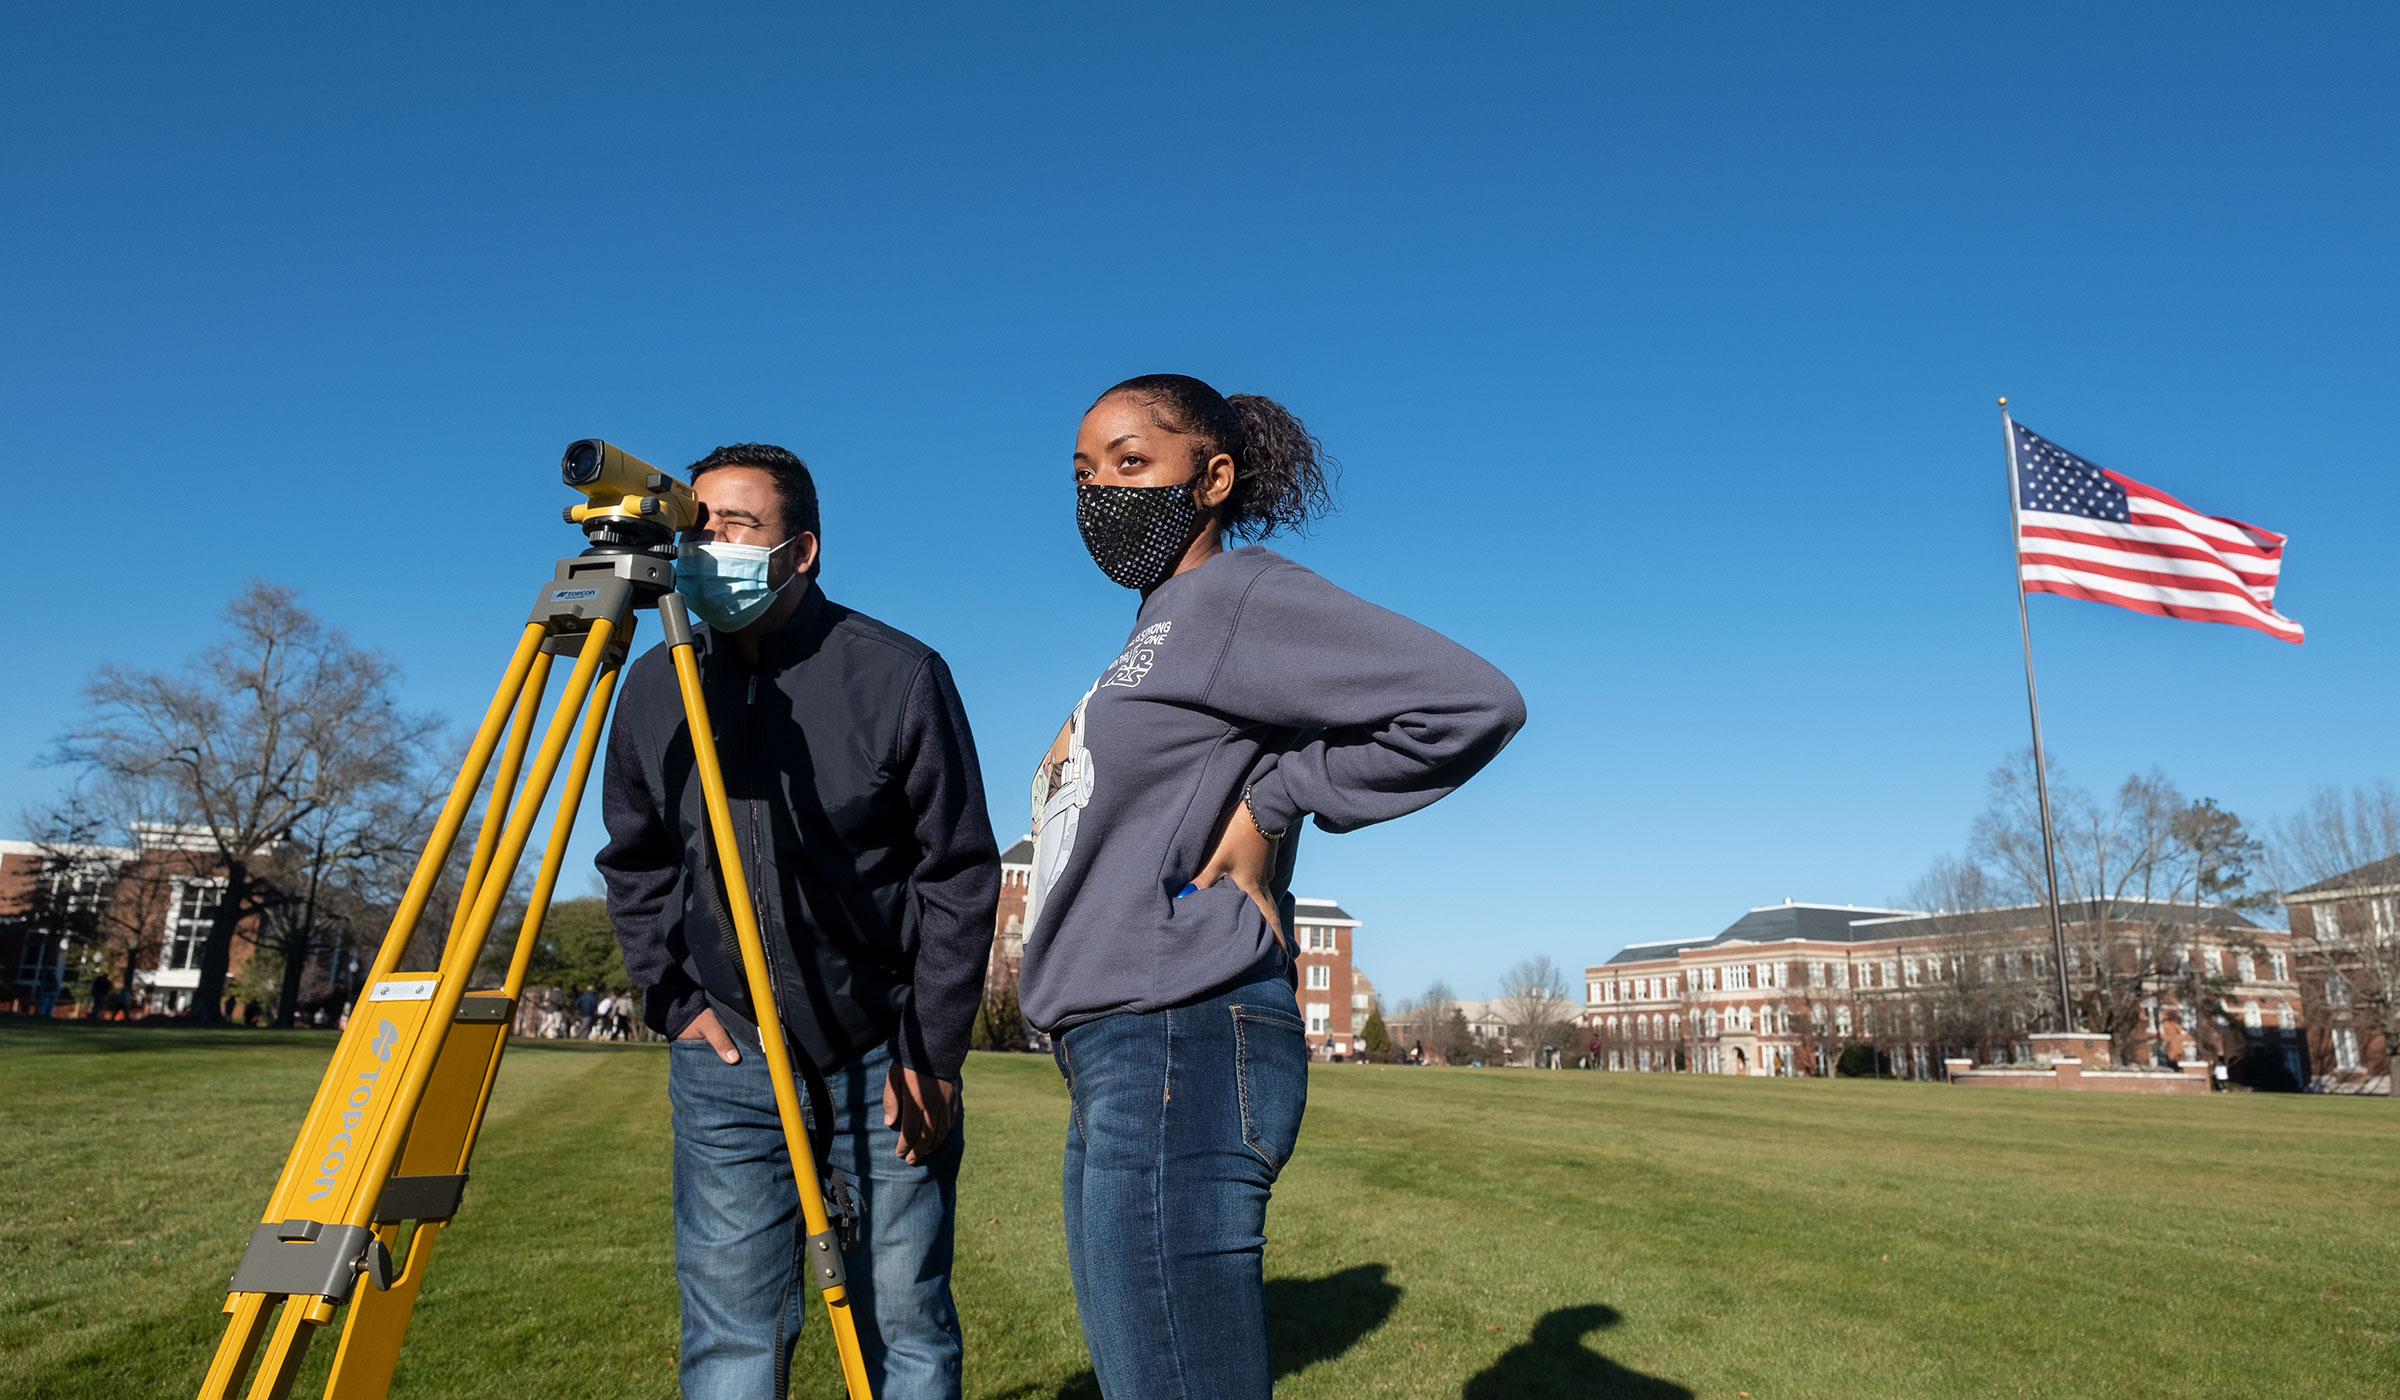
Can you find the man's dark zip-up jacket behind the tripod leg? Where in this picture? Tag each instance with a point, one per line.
(860, 815)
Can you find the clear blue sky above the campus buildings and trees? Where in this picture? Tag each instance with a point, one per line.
(1660, 347)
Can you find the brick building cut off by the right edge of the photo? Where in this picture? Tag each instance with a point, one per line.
(2348, 938)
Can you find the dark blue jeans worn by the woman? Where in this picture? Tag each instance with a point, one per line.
(1180, 1127)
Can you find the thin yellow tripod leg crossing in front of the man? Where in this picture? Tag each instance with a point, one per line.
(822, 1250)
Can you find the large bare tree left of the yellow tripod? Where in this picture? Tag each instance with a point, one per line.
(246, 743)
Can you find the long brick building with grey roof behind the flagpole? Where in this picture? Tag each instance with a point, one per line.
(1787, 988)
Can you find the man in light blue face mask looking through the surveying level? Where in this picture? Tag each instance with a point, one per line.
(860, 822)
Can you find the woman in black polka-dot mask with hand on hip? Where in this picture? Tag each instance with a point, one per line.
(1168, 815)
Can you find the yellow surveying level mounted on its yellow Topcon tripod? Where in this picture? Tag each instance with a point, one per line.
(395, 1123)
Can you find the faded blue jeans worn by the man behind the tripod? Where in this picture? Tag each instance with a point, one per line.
(738, 1233)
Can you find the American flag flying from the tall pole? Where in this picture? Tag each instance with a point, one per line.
(2096, 534)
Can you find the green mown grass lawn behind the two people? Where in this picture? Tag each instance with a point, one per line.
(1441, 1233)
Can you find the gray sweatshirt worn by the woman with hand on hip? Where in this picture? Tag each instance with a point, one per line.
(1242, 674)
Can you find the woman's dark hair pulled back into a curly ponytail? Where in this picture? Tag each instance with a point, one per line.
(1283, 477)
